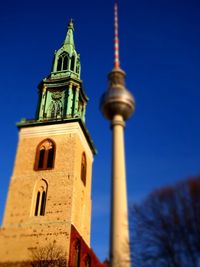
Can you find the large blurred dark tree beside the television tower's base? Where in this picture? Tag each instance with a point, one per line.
(166, 227)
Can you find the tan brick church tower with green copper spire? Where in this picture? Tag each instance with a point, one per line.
(49, 197)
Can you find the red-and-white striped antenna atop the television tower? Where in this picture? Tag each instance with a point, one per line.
(116, 40)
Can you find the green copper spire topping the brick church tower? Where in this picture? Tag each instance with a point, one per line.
(61, 94)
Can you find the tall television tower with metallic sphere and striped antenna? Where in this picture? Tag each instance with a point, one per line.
(117, 105)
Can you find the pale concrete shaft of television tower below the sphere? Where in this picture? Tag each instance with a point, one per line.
(119, 233)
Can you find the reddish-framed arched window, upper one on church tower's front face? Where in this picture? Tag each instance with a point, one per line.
(45, 155)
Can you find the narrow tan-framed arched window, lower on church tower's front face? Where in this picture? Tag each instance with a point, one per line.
(40, 195)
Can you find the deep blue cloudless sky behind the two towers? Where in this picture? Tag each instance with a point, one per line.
(160, 52)
